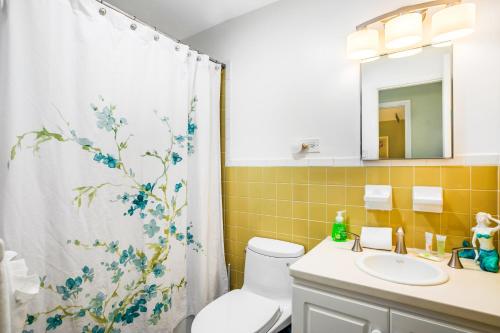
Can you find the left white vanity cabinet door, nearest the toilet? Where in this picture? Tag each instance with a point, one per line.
(315, 311)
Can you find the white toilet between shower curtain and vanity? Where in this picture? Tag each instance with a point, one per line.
(264, 303)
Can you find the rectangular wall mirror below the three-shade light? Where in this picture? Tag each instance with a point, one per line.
(406, 106)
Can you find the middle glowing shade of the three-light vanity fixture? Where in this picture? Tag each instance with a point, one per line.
(404, 31)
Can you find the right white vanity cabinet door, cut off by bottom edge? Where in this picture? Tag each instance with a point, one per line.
(402, 322)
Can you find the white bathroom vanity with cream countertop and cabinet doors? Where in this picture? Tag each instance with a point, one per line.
(331, 294)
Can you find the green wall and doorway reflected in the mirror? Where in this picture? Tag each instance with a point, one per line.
(410, 121)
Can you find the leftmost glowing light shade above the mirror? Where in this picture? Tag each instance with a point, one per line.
(362, 44)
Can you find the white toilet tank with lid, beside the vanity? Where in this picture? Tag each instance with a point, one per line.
(266, 267)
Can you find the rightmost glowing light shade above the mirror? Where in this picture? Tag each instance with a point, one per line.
(453, 22)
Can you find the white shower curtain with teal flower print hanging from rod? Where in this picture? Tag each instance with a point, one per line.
(110, 189)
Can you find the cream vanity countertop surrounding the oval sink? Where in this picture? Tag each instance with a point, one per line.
(469, 293)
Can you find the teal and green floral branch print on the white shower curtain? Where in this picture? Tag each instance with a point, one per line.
(144, 199)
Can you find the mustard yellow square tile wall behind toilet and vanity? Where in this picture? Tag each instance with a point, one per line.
(299, 204)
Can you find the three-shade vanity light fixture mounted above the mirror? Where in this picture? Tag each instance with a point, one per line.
(404, 28)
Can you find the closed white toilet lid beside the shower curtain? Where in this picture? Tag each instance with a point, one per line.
(237, 312)
